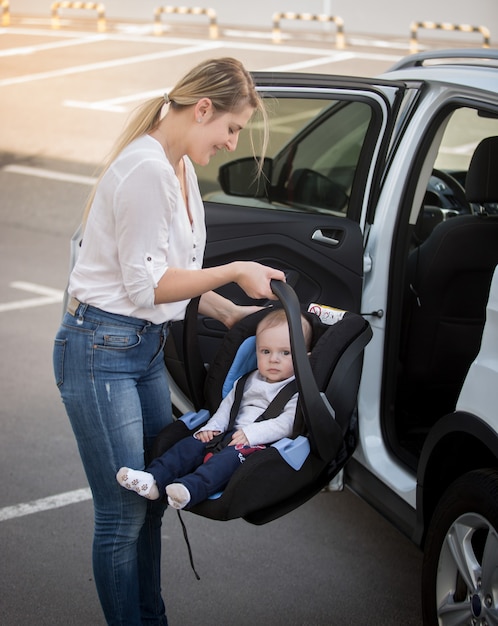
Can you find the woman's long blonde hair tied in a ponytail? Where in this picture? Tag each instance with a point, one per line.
(224, 81)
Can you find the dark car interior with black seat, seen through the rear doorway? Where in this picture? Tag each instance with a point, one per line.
(452, 256)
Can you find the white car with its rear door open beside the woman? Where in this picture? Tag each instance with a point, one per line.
(381, 197)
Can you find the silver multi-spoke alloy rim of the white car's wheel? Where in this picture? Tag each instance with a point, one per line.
(467, 577)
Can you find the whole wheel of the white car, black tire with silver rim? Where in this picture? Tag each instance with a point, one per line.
(460, 565)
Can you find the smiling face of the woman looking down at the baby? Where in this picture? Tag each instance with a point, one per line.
(217, 131)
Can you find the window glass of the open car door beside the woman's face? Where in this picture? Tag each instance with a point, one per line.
(312, 158)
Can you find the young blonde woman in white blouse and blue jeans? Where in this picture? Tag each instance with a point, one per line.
(140, 263)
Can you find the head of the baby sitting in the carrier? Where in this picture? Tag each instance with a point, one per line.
(273, 346)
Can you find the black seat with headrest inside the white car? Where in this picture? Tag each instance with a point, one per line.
(449, 276)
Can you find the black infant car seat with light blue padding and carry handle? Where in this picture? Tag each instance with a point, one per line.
(276, 480)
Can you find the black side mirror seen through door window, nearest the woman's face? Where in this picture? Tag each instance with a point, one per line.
(240, 178)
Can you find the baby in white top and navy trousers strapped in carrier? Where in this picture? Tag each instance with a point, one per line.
(188, 472)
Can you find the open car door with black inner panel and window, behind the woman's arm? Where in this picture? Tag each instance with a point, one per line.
(307, 215)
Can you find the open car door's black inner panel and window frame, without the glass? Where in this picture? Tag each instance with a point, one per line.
(262, 225)
